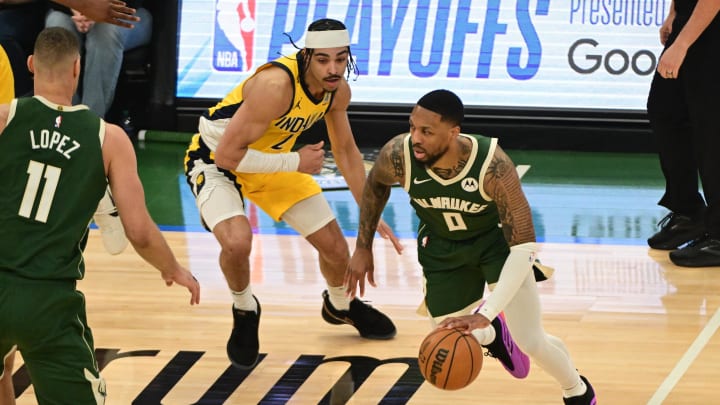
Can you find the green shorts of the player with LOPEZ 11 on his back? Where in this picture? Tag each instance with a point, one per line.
(46, 321)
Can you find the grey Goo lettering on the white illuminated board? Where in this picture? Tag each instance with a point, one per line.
(586, 56)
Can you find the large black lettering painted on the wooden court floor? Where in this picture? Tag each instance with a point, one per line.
(230, 379)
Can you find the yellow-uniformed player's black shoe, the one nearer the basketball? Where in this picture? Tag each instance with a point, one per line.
(371, 323)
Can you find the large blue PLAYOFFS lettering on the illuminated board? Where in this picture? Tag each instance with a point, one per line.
(442, 36)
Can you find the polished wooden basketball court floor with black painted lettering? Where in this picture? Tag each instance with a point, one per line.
(642, 330)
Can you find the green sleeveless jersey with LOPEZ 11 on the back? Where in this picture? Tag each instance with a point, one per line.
(52, 179)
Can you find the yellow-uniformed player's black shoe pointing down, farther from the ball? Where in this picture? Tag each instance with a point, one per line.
(243, 346)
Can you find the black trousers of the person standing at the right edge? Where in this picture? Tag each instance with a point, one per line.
(684, 116)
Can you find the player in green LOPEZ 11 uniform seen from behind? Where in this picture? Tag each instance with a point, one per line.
(59, 159)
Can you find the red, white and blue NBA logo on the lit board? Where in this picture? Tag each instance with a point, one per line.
(234, 40)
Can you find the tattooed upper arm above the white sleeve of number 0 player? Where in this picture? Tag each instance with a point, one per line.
(502, 184)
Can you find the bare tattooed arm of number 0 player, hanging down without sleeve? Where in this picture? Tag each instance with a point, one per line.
(387, 170)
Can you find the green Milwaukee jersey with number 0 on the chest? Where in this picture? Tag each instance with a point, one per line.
(457, 208)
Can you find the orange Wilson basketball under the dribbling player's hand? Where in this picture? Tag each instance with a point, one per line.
(450, 360)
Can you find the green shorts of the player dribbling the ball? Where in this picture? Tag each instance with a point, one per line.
(456, 272)
